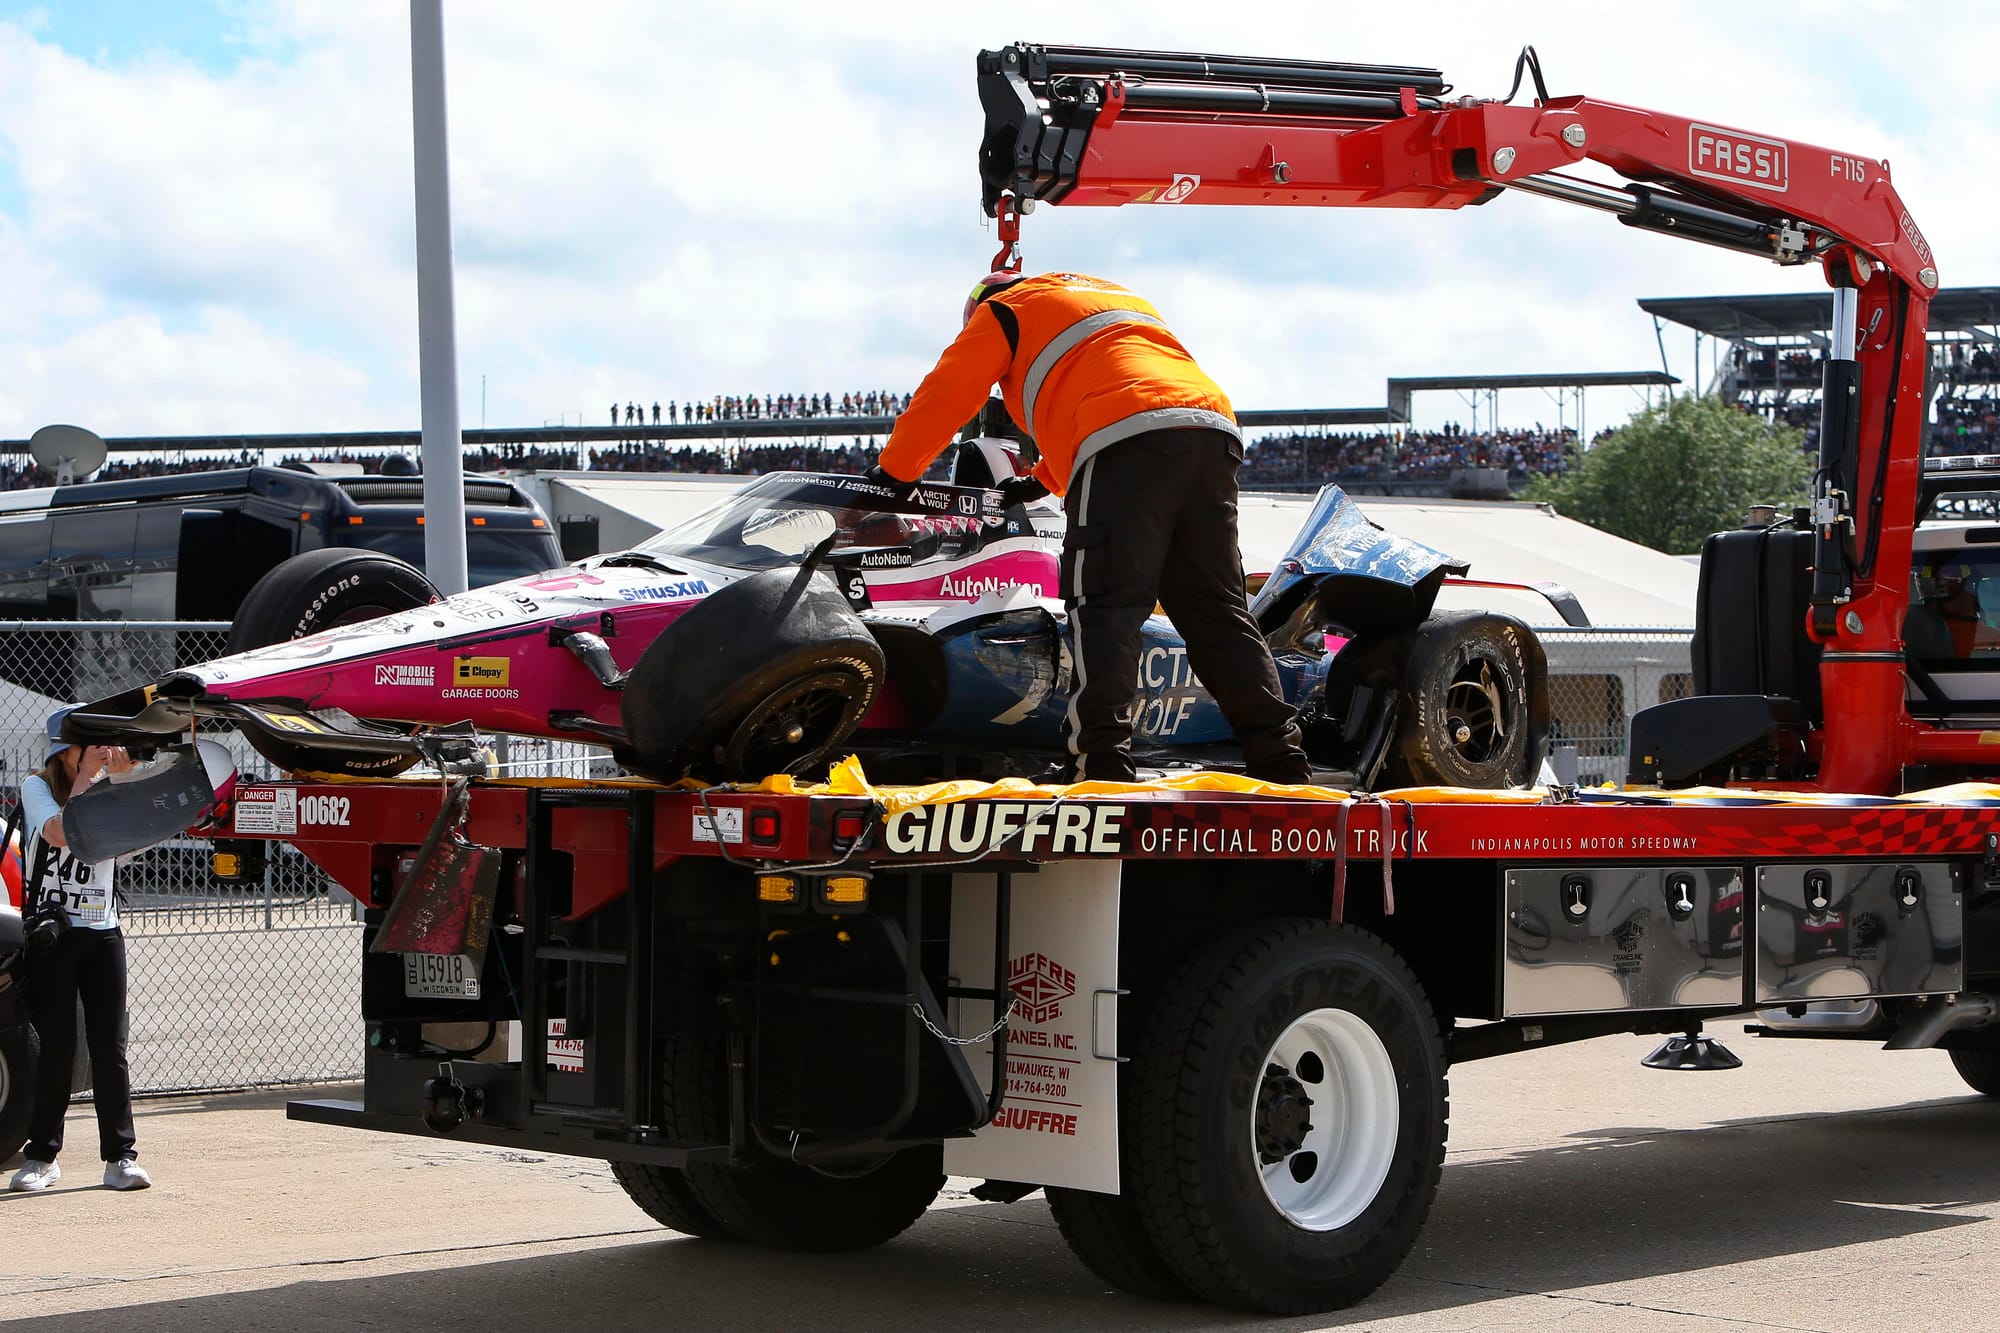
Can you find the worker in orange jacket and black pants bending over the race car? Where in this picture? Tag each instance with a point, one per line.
(1145, 451)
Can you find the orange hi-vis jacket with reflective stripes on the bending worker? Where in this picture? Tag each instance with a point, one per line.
(1081, 365)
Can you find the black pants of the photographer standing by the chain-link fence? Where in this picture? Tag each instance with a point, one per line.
(91, 966)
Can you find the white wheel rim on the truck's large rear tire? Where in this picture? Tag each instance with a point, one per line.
(1327, 1110)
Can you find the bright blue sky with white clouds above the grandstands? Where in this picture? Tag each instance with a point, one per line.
(207, 215)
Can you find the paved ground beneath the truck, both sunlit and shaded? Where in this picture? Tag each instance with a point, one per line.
(1827, 1186)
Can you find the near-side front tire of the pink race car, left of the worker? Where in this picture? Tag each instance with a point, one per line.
(767, 676)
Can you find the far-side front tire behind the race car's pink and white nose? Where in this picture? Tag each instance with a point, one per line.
(311, 593)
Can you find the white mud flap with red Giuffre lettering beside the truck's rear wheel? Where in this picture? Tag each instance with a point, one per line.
(1059, 1120)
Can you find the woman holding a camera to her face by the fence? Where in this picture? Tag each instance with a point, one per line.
(83, 962)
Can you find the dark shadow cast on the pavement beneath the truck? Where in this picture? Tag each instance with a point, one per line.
(1605, 1208)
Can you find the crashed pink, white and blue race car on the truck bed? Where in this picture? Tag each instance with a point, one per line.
(813, 615)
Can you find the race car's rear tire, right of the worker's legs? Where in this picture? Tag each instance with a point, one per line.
(1475, 704)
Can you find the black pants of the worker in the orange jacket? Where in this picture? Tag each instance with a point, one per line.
(1153, 519)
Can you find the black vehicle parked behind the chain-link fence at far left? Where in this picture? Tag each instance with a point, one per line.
(191, 547)
